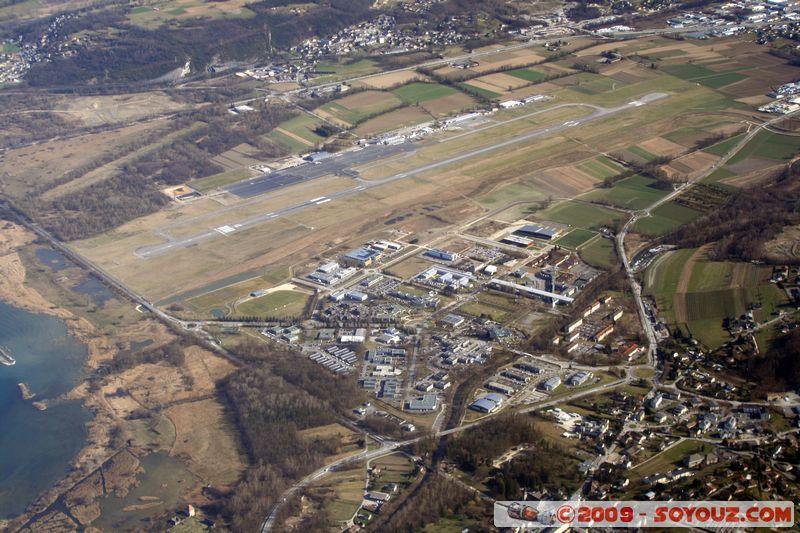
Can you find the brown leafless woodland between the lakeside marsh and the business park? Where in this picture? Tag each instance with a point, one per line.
(276, 396)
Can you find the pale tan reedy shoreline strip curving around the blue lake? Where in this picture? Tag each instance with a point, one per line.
(14, 292)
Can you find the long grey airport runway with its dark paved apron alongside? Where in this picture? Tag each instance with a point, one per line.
(344, 163)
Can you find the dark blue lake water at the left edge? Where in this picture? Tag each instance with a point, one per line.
(36, 447)
